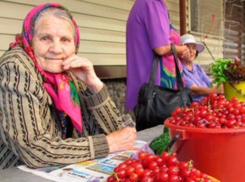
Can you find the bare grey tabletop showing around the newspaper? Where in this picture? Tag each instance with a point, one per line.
(15, 174)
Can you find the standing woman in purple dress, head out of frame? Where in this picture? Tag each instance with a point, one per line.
(149, 33)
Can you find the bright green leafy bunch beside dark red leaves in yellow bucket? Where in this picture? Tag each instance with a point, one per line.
(218, 69)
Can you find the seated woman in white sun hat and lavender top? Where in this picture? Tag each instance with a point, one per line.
(195, 77)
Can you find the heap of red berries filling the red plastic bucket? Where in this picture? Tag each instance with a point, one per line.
(213, 111)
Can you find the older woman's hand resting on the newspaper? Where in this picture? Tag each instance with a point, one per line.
(121, 139)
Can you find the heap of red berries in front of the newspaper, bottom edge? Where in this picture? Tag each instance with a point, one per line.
(154, 168)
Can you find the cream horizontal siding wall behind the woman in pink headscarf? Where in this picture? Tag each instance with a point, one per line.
(102, 24)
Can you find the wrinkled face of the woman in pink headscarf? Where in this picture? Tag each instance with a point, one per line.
(52, 43)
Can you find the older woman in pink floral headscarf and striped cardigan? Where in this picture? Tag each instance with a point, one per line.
(54, 110)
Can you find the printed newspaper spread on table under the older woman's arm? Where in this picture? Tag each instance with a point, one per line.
(97, 170)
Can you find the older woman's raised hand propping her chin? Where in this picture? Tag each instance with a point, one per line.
(83, 69)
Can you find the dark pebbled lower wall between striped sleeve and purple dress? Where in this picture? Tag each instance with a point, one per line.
(117, 91)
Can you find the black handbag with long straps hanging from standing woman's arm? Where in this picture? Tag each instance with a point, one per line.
(156, 103)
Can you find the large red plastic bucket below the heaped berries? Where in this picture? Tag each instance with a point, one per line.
(217, 152)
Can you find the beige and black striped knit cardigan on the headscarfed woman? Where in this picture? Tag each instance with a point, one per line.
(29, 128)
